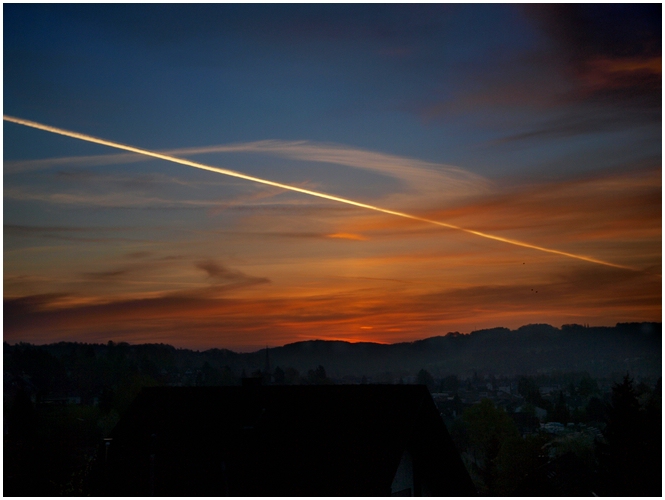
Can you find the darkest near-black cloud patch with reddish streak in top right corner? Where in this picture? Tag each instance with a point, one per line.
(612, 50)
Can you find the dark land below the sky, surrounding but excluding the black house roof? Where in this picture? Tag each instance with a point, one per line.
(515, 433)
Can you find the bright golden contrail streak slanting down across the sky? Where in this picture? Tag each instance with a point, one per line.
(339, 199)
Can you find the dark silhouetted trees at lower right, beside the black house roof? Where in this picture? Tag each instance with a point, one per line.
(624, 459)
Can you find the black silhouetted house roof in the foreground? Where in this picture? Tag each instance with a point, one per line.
(280, 441)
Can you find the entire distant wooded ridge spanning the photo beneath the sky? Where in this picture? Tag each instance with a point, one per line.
(529, 350)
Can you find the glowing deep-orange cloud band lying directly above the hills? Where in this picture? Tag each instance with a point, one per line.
(214, 319)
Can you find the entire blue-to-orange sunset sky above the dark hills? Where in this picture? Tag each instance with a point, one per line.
(535, 124)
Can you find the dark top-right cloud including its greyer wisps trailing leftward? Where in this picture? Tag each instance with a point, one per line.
(601, 72)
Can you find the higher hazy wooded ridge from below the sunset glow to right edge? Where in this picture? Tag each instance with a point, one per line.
(530, 349)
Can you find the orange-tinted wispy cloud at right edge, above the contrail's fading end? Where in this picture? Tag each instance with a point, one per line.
(626, 202)
